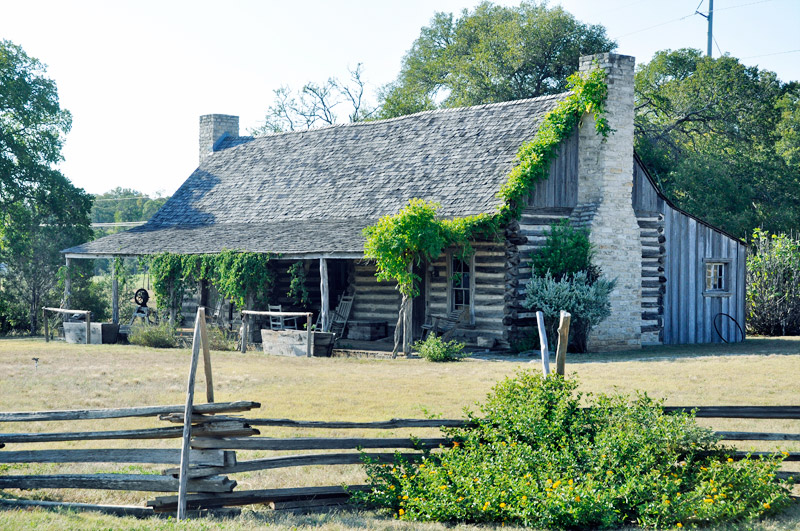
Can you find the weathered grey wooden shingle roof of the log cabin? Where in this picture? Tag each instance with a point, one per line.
(312, 192)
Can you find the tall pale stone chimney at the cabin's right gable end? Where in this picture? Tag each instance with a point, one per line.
(605, 206)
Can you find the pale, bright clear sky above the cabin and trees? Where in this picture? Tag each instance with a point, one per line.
(136, 75)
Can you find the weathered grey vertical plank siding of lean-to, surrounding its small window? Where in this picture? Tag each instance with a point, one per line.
(689, 313)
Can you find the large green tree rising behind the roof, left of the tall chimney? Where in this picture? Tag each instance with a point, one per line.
(491, 54)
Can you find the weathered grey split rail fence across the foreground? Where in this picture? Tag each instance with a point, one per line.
(211, 436)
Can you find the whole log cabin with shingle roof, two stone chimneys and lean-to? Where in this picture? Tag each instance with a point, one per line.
(307, 196)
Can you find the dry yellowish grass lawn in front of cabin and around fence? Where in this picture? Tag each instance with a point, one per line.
(758, 372)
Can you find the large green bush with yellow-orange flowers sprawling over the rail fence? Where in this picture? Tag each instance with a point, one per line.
(536, 458)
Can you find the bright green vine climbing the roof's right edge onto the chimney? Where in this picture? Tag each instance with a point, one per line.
(416, 232)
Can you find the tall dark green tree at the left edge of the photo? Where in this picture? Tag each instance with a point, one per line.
(41, 212)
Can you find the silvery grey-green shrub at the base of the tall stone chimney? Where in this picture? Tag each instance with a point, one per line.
(588, 302)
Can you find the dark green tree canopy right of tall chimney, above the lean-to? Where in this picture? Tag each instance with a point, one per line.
(712, 132)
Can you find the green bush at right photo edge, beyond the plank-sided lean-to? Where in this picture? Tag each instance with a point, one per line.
(773, 285)
